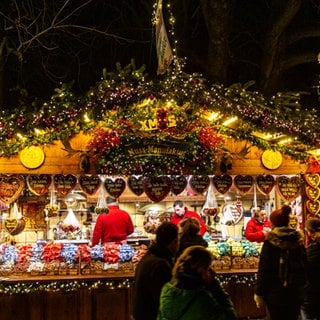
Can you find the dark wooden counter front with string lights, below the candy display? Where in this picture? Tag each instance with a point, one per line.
(97, 297)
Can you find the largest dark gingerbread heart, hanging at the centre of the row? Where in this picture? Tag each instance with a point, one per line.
(157, 188)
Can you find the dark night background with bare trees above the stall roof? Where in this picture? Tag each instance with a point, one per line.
(46, 43)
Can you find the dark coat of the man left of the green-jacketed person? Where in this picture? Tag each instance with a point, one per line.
(152, 272)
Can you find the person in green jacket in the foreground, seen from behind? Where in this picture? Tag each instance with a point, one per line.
(194, 293)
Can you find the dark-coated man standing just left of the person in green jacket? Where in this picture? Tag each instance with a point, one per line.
(153, 271)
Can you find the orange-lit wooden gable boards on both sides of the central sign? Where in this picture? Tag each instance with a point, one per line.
(246, 160)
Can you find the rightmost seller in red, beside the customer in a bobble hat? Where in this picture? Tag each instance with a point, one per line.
(258, 226)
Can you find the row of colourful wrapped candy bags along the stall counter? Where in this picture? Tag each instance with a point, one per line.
(66, 258)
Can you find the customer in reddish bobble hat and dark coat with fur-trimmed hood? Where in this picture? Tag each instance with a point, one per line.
(282, 269)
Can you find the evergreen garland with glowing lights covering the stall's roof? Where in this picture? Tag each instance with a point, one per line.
(114, 101)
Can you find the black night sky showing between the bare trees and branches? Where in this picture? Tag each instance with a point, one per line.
(71, 55)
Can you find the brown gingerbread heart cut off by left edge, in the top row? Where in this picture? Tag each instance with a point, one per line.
(10, 187)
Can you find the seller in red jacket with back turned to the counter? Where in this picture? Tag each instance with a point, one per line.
(112, 226)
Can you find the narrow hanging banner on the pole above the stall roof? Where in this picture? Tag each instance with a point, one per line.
(164, 51)
